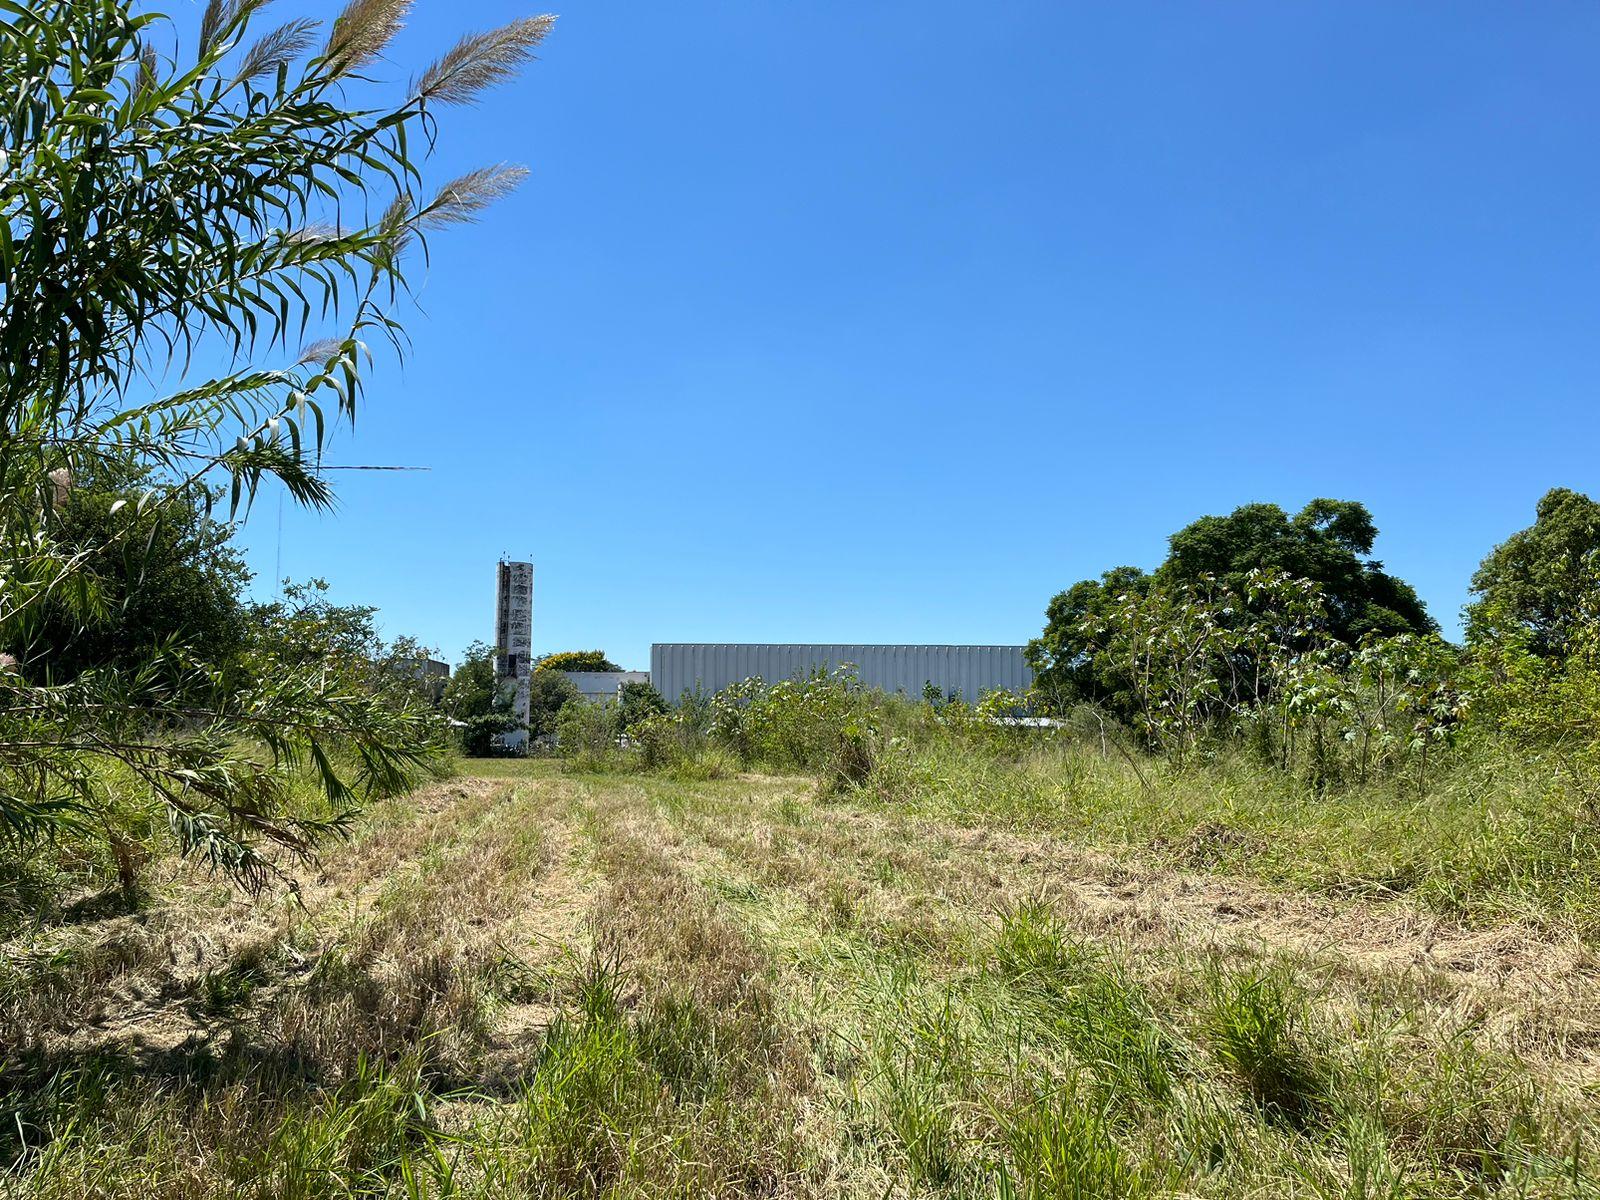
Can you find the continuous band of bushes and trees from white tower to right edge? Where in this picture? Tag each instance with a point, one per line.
(1263, 636)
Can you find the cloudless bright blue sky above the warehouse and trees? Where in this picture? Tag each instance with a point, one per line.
(882, 322)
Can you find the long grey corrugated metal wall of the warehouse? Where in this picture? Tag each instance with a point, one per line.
(682, 666)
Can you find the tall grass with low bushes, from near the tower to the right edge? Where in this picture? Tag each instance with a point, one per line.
(1490, 831)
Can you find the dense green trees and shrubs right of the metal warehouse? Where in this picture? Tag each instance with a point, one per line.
(1284, 634)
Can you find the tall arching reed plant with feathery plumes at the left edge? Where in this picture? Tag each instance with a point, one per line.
(162, 214)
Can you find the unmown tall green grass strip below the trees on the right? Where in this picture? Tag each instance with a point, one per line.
(1495, 836)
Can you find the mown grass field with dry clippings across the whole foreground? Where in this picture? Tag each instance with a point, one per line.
(532, 983)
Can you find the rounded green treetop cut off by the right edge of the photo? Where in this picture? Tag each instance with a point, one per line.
(1542, 578)
